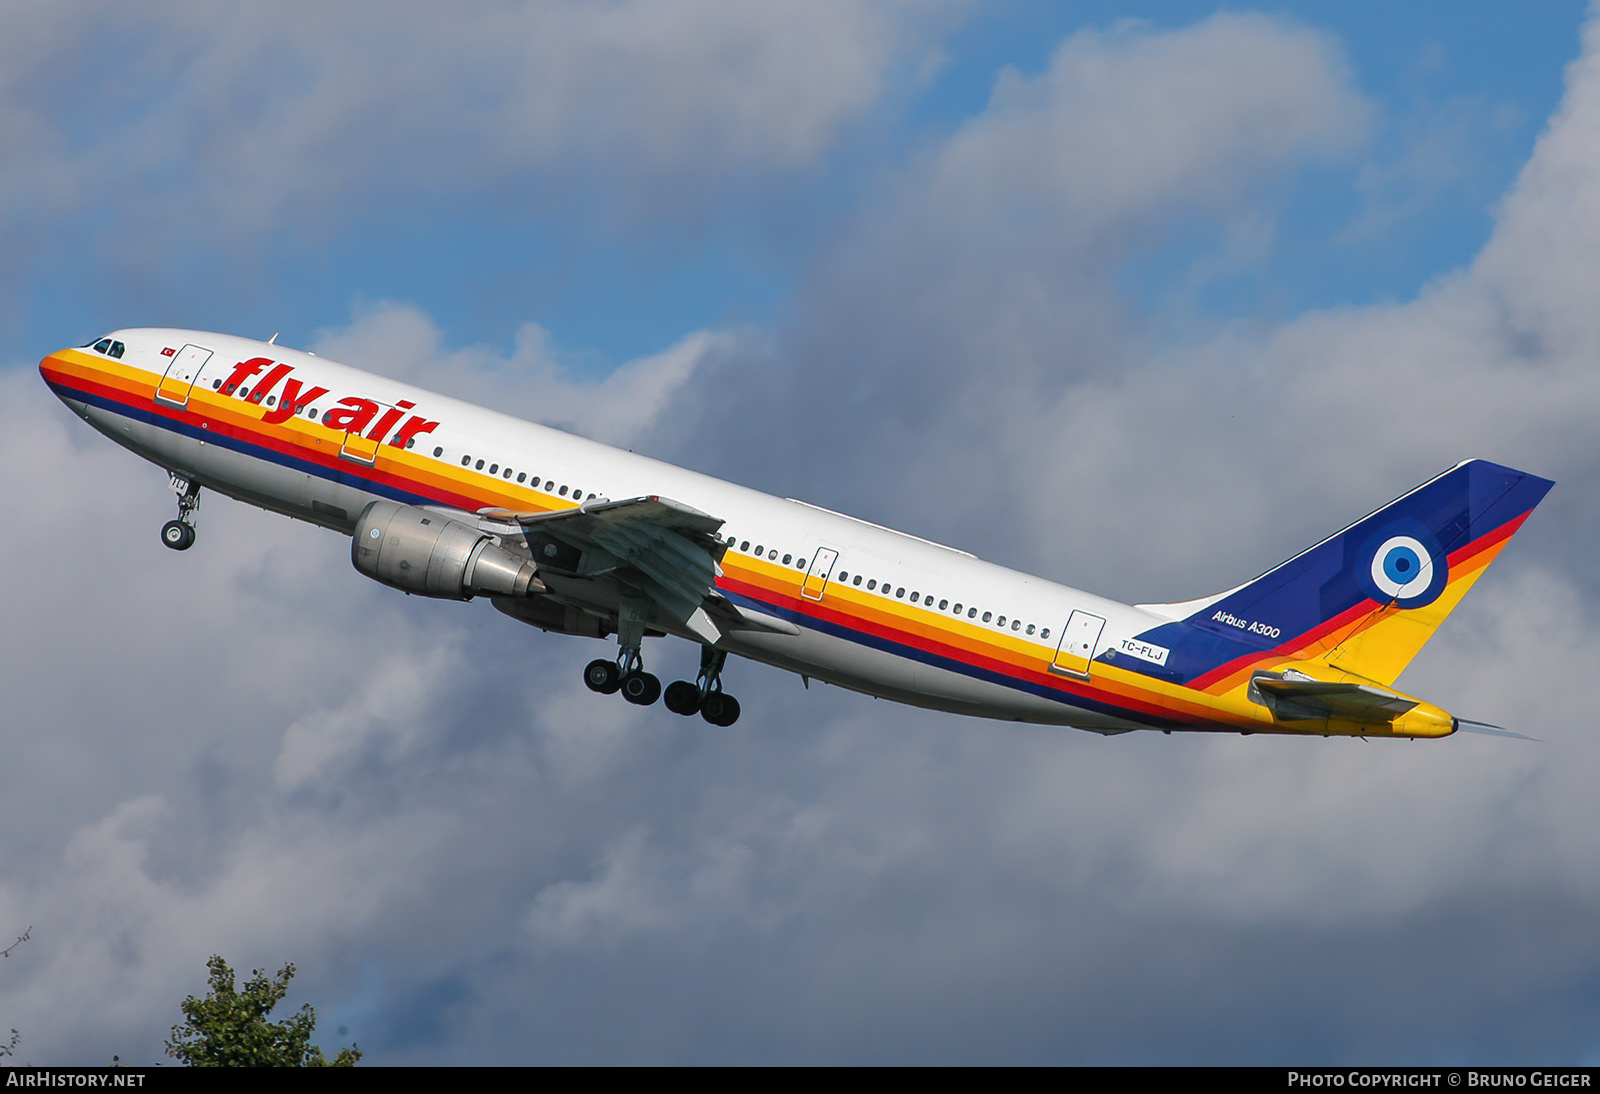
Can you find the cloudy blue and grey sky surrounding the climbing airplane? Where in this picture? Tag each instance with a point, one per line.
(1140, 300)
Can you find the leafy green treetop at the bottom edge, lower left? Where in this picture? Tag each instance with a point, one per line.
(231, 1029)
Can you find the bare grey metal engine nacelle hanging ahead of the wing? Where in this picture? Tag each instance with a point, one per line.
(431, 556)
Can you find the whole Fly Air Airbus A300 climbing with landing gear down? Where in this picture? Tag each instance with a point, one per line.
(454, 501)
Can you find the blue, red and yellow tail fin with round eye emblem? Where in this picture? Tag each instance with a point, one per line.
(1367, 599)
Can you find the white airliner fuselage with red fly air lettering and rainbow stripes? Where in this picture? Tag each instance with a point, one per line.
(894, 617)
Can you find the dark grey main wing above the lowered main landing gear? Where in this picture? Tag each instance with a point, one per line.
(666, 549)
